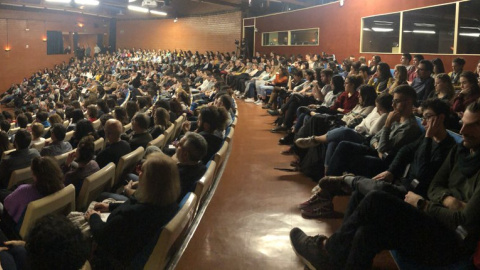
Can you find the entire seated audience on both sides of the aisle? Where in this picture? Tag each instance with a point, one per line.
(325, 108)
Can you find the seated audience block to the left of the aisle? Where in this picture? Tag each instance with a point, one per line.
(129, 99)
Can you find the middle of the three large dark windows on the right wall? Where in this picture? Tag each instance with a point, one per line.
(429, 30)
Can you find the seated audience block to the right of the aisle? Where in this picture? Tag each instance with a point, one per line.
(385, 138)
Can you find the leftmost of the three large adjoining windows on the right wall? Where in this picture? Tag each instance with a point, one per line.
(381, 33)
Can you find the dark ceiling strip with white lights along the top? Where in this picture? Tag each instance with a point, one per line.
(174, 8)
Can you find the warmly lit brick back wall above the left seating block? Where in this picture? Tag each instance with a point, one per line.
(212, 33)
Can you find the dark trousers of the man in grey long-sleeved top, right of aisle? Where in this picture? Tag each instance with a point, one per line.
(355, 158)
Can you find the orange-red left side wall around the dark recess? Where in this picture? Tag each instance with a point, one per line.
(21, 61)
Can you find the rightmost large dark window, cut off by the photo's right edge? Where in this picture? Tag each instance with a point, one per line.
(468, 41)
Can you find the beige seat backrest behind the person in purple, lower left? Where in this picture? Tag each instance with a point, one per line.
(60, 202)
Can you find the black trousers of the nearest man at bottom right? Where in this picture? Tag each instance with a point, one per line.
(383, 222)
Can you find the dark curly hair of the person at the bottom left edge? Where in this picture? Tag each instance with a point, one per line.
(55, 243)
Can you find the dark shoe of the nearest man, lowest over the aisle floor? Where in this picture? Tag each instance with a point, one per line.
(310, 249)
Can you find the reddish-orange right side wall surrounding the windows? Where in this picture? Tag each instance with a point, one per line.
(340, 28)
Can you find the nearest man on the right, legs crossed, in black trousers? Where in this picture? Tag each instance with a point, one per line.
(436, 231)
